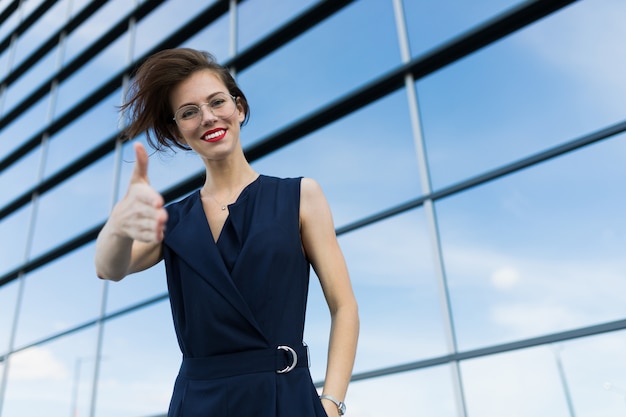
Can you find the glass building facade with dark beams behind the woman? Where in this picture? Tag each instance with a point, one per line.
(472, 152)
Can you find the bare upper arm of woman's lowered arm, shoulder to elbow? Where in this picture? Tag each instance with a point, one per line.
(321, 246)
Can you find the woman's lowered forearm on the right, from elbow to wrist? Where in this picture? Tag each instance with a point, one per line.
(341, 353)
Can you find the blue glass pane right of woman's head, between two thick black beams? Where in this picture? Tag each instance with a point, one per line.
(288, 84)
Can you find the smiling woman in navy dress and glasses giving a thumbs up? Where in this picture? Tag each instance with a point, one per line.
(237, 253)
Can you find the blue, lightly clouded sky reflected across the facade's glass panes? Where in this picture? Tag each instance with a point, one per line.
(533, 253)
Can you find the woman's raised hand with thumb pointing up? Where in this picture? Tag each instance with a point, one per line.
(140, 214)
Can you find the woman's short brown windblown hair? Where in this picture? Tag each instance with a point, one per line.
(148, 103)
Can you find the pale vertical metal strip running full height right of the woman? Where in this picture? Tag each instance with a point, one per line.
(429, 208)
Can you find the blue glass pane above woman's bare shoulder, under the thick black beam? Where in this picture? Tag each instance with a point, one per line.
(363, 167)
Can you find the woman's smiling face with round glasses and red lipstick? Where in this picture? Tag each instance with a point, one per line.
(203, 105)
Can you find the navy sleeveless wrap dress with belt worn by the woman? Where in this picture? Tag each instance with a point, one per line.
(239, 305)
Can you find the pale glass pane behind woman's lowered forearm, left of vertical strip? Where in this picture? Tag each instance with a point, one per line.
(390, 265)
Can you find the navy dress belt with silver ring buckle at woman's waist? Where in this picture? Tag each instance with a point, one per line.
(281, 359)
